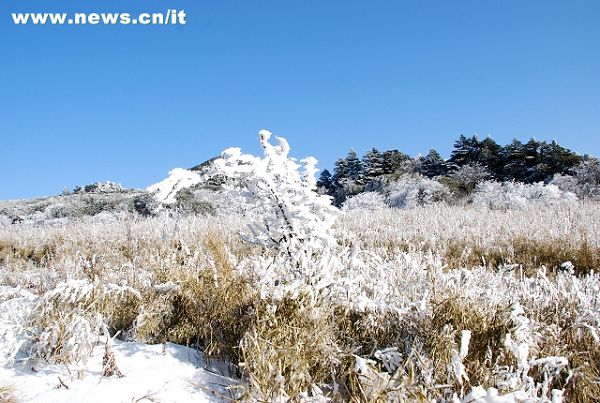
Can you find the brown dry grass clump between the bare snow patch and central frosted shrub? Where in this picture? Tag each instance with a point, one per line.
(209, 308)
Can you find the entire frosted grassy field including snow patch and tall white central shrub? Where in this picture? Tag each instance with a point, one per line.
(278, 296)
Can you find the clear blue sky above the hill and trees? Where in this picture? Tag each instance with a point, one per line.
(80, 104)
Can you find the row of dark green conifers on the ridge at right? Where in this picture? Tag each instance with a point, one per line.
(478, 160)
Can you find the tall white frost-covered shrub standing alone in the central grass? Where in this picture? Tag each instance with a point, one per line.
(286, 211)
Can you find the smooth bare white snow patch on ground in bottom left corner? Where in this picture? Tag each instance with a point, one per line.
(158, 373)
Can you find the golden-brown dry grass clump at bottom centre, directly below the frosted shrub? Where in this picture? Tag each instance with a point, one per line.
(290, 346)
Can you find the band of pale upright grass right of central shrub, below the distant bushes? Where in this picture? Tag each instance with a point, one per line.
(469, 236)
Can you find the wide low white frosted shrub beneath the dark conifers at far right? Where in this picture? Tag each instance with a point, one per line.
(517, 195)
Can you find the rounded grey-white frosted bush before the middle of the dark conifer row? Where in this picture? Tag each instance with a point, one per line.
(415, 190)
